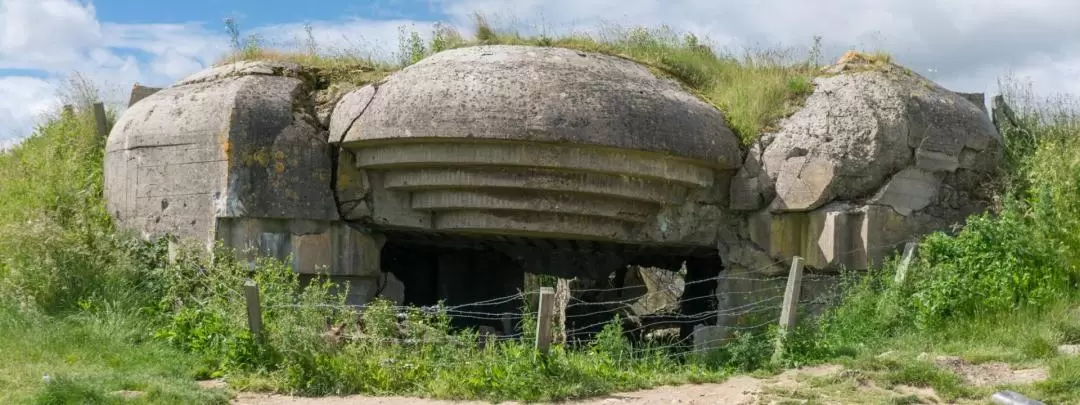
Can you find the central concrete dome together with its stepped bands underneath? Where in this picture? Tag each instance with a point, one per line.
(529, 141)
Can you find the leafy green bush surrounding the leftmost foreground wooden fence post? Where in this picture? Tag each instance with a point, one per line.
(205, 304)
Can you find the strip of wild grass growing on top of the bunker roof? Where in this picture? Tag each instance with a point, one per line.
(754, 88)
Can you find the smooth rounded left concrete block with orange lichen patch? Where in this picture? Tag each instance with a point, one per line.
(236, 154)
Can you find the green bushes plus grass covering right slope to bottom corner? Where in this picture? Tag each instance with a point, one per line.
(1006, 287)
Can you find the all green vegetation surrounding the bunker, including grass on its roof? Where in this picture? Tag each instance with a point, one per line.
(90, 314)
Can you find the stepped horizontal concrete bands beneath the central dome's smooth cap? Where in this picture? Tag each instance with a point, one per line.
(531, 190)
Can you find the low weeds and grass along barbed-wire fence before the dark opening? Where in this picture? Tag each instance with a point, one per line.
(381, 349)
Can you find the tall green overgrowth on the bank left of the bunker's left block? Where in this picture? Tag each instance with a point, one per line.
(60, 250)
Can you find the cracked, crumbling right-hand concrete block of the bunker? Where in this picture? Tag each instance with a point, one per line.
(879, 157)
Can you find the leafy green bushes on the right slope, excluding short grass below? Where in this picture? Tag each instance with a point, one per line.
(1023, 258)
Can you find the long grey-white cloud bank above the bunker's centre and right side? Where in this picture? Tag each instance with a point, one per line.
(955, 38)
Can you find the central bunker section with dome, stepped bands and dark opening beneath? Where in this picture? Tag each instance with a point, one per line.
(495, 163)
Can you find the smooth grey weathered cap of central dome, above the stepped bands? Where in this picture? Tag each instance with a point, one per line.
(547, 96)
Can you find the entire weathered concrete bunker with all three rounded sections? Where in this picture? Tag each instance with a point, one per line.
(460, 177)
